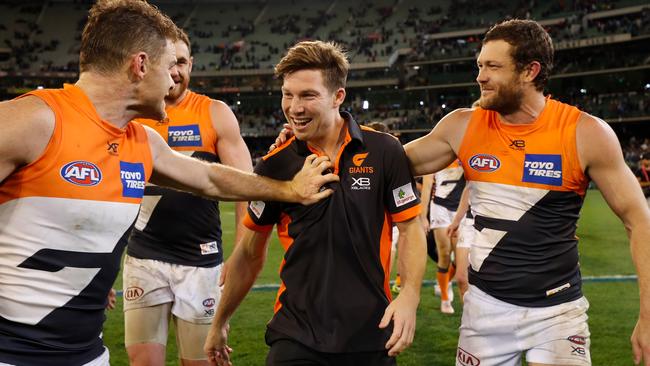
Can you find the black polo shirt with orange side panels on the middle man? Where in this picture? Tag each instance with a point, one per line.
(335, 270)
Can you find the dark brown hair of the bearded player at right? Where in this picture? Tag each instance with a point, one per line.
(530, 42)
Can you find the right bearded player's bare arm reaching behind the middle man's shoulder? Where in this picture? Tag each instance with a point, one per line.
(439, 148)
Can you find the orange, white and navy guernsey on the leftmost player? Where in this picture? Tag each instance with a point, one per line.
(63, 225)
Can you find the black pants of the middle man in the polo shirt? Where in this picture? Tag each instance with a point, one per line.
(286, 352)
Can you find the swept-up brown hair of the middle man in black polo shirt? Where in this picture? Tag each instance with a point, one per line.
(328, 57)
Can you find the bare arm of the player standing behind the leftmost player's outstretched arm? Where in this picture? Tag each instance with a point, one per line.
(232, 150)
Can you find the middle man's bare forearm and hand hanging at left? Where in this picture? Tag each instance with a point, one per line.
(245, 262)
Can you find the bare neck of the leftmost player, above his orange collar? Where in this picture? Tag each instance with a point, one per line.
(110, 95)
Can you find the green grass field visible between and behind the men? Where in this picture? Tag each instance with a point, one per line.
(604, 251)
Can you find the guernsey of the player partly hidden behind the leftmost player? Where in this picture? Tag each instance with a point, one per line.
(178, 227)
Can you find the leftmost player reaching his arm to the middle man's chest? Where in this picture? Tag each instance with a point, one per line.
(73, 169)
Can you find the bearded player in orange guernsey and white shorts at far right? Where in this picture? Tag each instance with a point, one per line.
(528, 160)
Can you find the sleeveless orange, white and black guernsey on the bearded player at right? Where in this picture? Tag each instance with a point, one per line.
(526, 192)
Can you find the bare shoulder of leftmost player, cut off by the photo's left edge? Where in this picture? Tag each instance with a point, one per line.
(27, 125)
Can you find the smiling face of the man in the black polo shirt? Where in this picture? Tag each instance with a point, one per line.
(308, 105)
